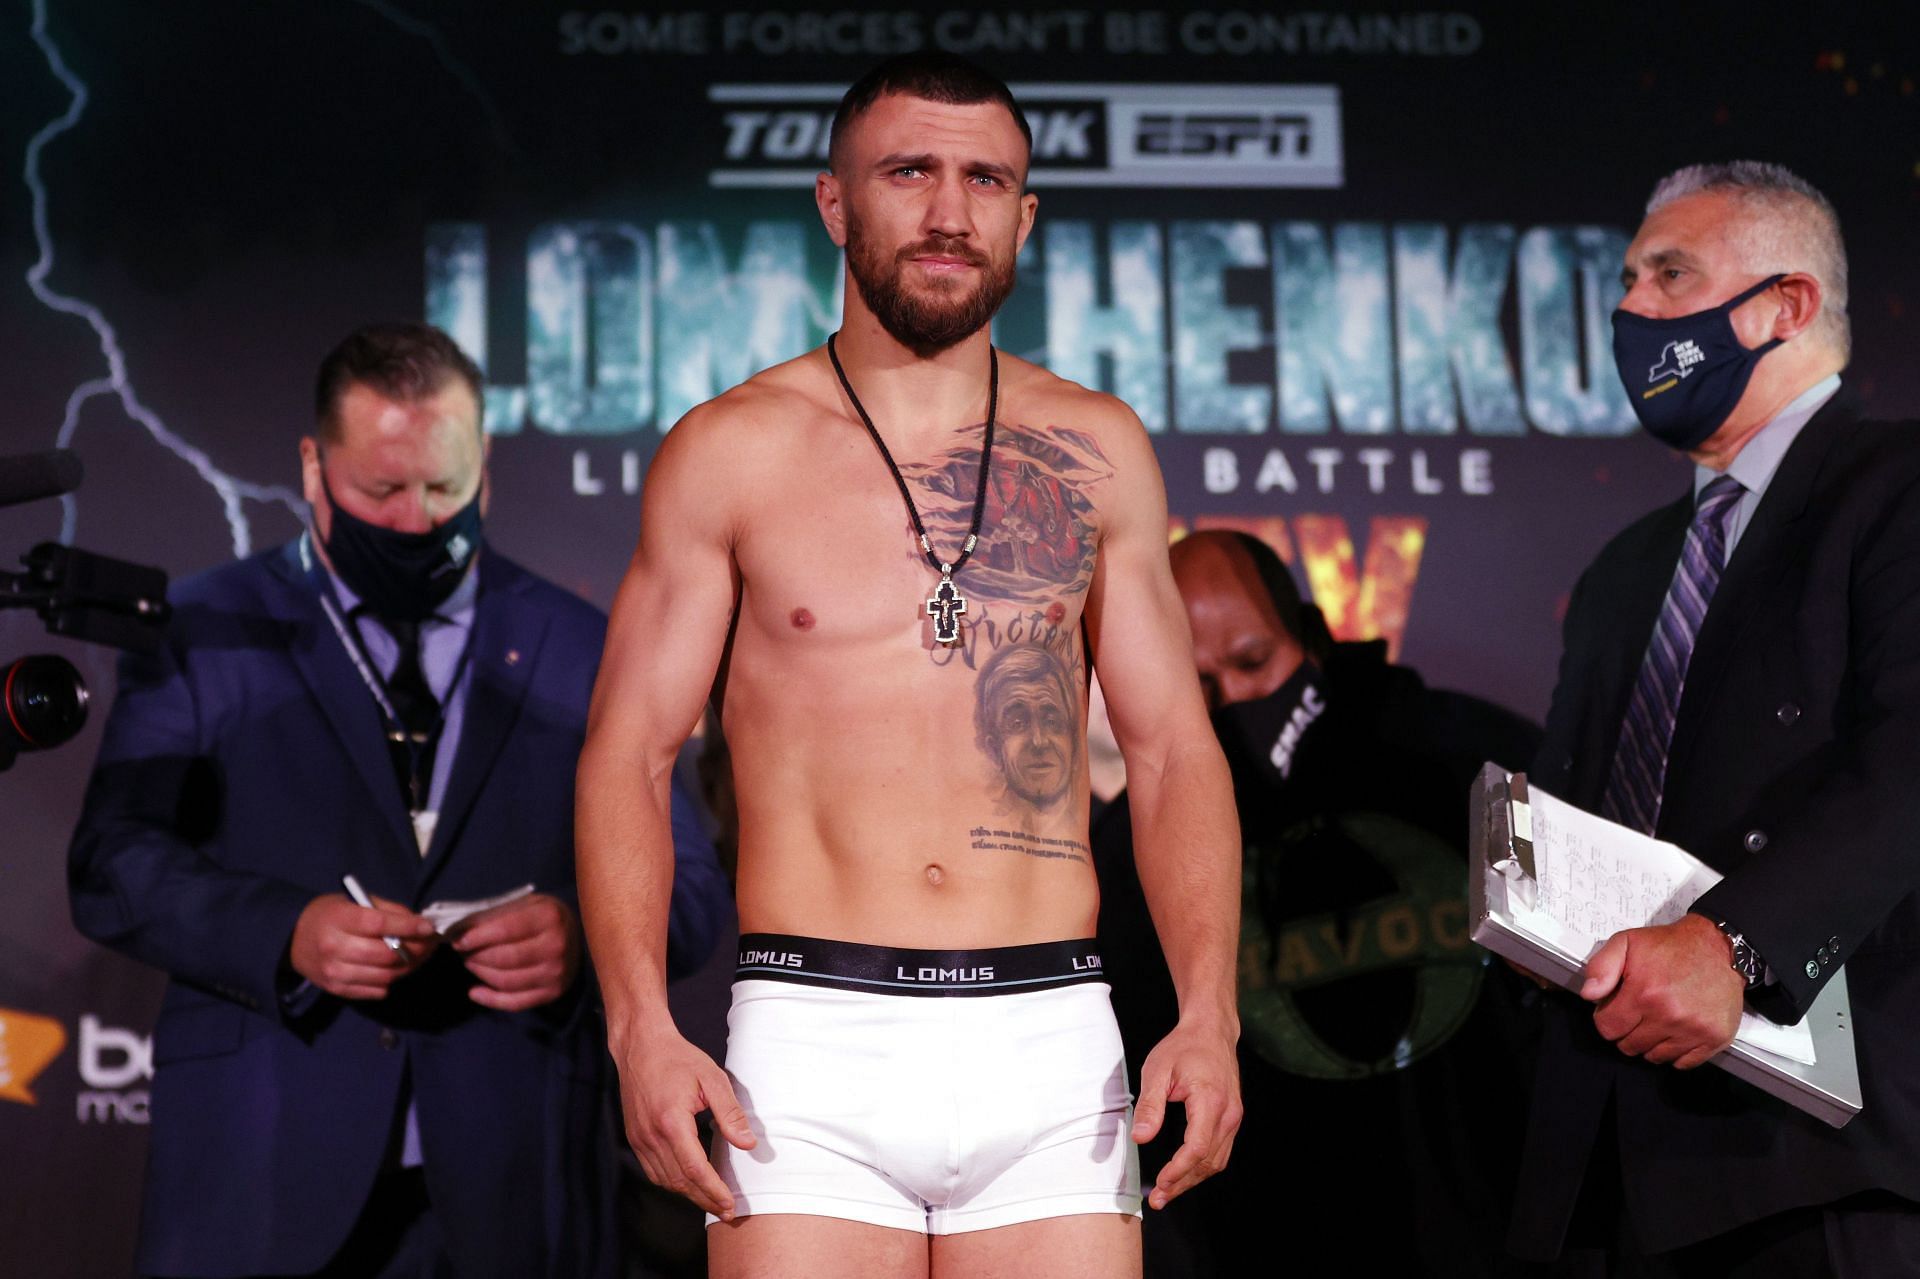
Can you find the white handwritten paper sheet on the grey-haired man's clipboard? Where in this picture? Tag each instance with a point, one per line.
(1596, 879)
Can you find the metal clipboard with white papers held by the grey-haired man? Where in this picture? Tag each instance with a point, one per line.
(1552, 882)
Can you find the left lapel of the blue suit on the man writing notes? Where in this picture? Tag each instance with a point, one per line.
(337, 687)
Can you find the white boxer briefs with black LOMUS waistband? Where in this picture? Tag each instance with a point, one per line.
(932, 1092)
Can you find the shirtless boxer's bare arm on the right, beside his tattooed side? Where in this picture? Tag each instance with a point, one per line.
(1186, 831)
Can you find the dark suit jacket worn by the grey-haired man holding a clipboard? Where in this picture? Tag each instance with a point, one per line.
(1796, 773)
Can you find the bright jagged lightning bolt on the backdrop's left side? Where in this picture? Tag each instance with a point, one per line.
(231, 491)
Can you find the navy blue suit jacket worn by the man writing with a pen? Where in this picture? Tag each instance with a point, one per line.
(243, 773)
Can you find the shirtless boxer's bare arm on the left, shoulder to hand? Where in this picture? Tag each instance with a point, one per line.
(663, 648)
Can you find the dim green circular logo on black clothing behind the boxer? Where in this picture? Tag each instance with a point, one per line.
(1293, 967)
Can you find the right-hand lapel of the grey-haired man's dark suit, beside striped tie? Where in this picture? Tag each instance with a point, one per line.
(1767, 548)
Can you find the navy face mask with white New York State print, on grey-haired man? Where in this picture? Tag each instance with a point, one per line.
(1685, 375)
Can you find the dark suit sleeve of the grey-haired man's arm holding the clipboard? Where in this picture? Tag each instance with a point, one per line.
(1836, 867)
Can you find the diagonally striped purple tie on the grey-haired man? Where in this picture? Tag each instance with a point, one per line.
(1641, 761)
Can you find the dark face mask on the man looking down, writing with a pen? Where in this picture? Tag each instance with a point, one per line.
(402, 575)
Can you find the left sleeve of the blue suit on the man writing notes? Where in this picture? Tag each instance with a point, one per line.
(137, 879)
